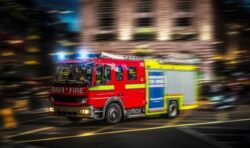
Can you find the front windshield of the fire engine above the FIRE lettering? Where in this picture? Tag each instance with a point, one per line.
(74, 73)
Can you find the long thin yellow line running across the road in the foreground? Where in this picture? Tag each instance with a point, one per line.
(130, 130)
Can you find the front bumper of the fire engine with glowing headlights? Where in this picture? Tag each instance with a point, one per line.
(79, 112)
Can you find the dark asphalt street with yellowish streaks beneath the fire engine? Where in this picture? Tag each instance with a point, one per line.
(193, 128)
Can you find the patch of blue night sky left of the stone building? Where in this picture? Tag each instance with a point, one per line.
(69, 11)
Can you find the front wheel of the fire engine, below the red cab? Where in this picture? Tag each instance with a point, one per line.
(113, 113)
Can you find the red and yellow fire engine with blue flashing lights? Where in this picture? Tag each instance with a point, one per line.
(115, 87)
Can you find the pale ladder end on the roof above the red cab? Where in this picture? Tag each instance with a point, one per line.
(117, 56)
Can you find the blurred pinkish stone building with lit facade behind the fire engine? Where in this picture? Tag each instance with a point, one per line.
(160, 26)
